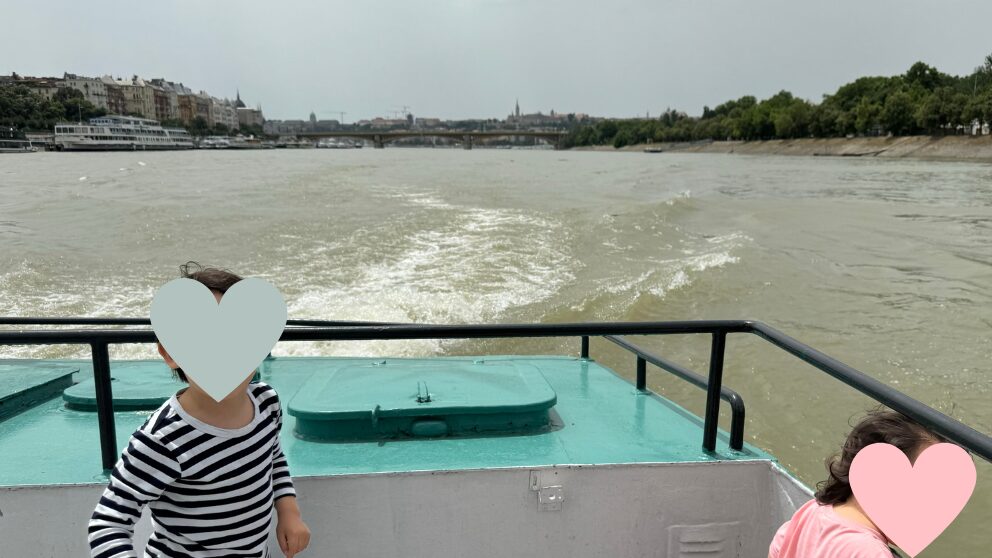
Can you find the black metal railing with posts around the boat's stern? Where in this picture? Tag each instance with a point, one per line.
(317, 330)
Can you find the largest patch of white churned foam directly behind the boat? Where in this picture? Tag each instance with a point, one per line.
(471, 269)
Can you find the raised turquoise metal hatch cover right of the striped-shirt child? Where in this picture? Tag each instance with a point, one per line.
(396, 398)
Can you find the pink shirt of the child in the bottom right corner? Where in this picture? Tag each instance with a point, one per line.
(817, 531)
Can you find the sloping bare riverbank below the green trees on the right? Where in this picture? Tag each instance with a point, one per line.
(951, 148)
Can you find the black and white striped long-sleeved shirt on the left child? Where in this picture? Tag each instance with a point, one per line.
(211, 490)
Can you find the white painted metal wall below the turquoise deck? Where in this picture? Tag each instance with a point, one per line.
(720, 510)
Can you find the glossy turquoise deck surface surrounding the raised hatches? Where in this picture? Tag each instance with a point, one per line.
(604, 420)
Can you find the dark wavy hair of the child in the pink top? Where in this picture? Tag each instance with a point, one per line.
(880, 426)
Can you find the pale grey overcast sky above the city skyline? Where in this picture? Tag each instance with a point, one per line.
(474, 58)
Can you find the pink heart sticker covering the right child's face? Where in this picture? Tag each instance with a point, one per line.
(911, 504)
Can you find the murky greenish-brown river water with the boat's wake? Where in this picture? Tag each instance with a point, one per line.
(883, 264)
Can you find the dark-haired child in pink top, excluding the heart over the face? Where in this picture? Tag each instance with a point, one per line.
(834, 525)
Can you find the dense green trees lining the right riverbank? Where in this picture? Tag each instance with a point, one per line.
(921, 101)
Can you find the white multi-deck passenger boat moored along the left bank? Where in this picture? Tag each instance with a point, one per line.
(119, 133)
